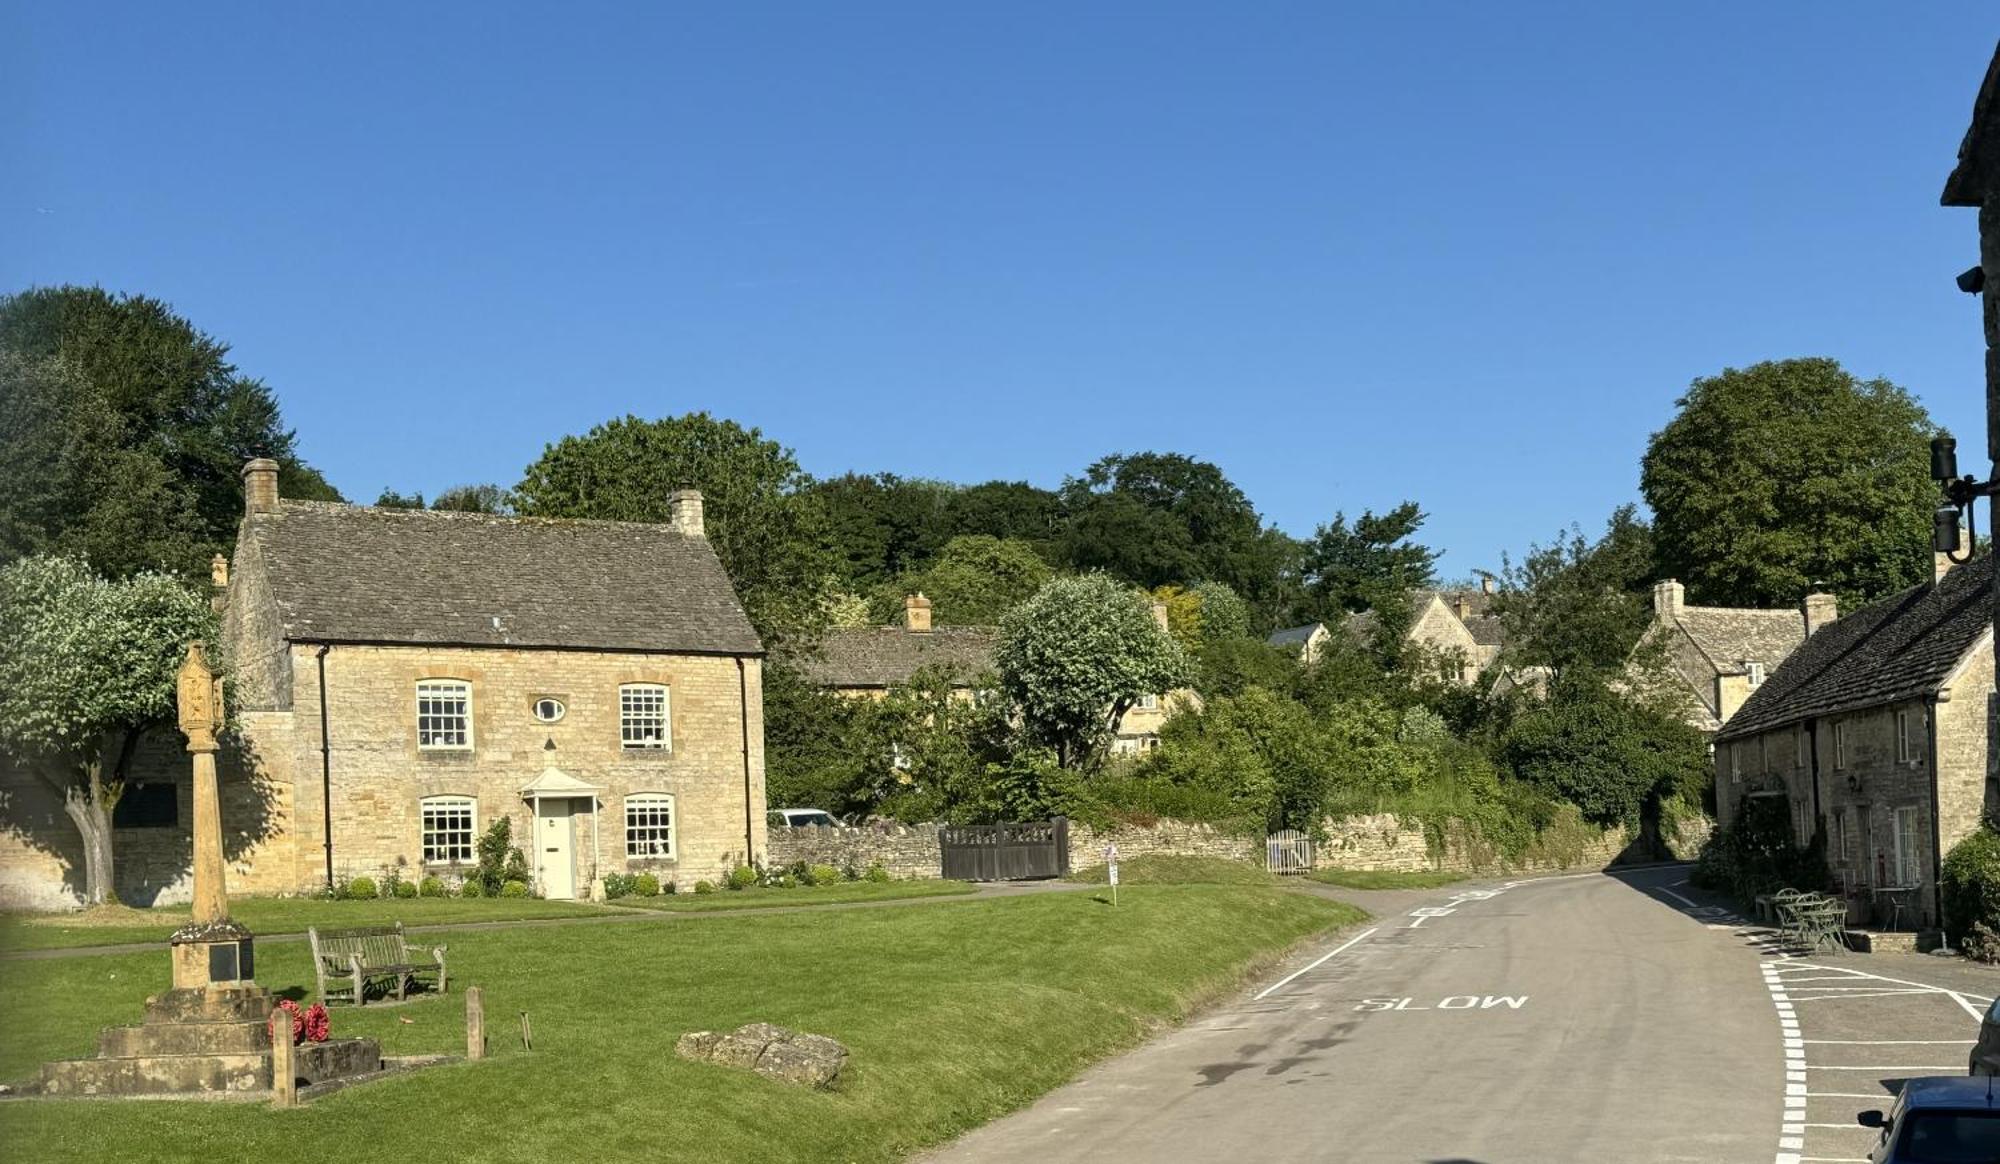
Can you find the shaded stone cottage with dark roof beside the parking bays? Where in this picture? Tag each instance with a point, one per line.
(1877, 735)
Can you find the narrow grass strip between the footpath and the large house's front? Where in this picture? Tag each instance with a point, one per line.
(271, 917)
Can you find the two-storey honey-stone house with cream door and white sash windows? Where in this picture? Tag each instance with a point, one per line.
(403, 679)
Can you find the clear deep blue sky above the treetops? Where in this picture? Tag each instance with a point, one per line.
(1457, 253)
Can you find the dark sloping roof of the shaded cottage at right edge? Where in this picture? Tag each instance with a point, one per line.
(1897, 649)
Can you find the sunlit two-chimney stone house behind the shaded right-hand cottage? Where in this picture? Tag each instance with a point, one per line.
(1715, 657)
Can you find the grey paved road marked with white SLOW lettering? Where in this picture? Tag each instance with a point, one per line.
(1591, 1019)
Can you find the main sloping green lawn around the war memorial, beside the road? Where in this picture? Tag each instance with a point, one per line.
(953, 1015)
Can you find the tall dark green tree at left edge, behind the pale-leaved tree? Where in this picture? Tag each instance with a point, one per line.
(151, 433)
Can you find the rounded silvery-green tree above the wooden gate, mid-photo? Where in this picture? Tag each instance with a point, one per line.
(1077, 657)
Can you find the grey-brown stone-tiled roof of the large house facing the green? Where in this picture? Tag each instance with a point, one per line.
(365, 575)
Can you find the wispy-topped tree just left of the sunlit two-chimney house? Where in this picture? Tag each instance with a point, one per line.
(1579, 603)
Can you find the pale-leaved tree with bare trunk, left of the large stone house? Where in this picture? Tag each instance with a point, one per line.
(87, 665)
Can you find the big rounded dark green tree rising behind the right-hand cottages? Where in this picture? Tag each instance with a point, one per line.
(1787, 477)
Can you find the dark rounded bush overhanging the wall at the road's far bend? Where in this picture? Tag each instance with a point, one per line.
(1605, 753)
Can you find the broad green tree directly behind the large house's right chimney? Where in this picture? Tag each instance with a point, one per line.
(759, 517)
